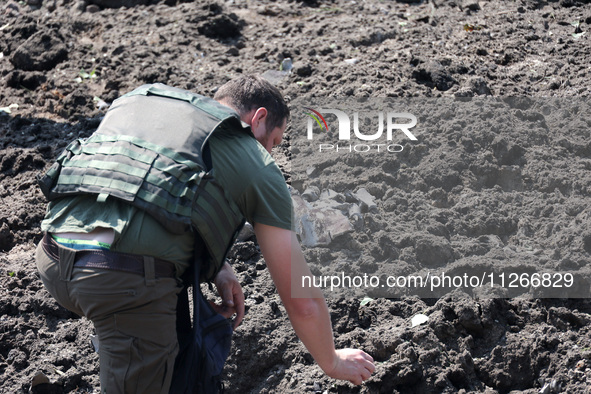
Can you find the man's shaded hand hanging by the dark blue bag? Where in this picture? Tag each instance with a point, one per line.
(230, 291)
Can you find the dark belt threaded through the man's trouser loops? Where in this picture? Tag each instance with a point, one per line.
(106, 259)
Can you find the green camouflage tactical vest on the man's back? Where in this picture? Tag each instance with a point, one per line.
(149, 151)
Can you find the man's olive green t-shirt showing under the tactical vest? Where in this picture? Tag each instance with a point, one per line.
(241, 165)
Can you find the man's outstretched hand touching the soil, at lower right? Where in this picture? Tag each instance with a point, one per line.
(353, 365)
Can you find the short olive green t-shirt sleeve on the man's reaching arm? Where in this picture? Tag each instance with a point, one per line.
(267, 200)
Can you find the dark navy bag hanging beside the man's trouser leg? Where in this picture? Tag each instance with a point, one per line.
(204, 346)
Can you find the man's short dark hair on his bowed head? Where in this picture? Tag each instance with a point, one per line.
(249, 92)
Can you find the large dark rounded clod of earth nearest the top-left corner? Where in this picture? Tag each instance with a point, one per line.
(41, 52)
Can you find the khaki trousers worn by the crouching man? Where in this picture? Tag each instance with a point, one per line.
(134, 318)
